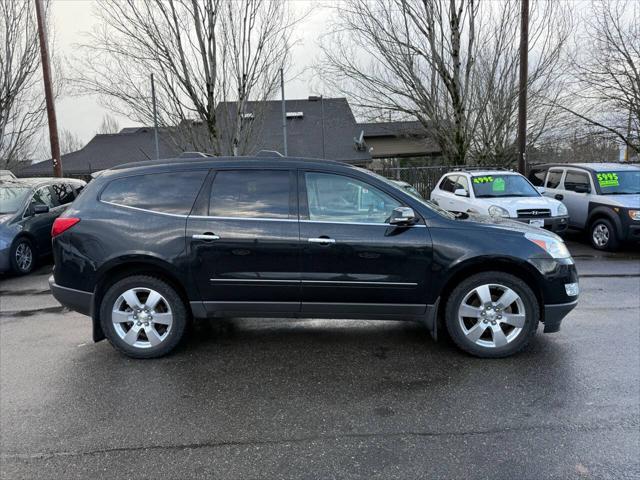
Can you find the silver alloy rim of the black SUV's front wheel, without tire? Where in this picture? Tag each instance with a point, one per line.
(492, 315)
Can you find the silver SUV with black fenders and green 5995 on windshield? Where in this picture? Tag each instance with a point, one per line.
(602, 198)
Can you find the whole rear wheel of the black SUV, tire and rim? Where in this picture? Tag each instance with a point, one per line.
(143, 317)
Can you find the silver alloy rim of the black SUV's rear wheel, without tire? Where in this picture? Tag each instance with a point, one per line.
(142, 317)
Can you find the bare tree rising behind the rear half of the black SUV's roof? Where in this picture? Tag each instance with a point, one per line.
(202, 52)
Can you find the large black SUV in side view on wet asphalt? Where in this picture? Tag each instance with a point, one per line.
(149, 246)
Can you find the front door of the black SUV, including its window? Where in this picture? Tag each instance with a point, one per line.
(352, 259)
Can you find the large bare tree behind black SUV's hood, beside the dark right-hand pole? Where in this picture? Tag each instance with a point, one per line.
(451, 64)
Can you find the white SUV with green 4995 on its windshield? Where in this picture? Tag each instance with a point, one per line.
(499, 193)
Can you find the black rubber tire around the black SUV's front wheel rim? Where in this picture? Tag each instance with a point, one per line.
(531, 311)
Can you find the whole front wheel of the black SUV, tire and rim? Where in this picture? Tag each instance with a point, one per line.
(492, 314)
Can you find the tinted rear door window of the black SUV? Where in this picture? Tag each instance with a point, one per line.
(250, 193)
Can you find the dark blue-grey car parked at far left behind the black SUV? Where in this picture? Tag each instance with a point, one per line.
(28, 207)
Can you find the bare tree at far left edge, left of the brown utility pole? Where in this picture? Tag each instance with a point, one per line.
(21, 105)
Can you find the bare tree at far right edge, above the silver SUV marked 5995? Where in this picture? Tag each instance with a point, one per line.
(606, 93)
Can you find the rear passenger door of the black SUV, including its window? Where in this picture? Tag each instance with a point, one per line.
(244, 242)
